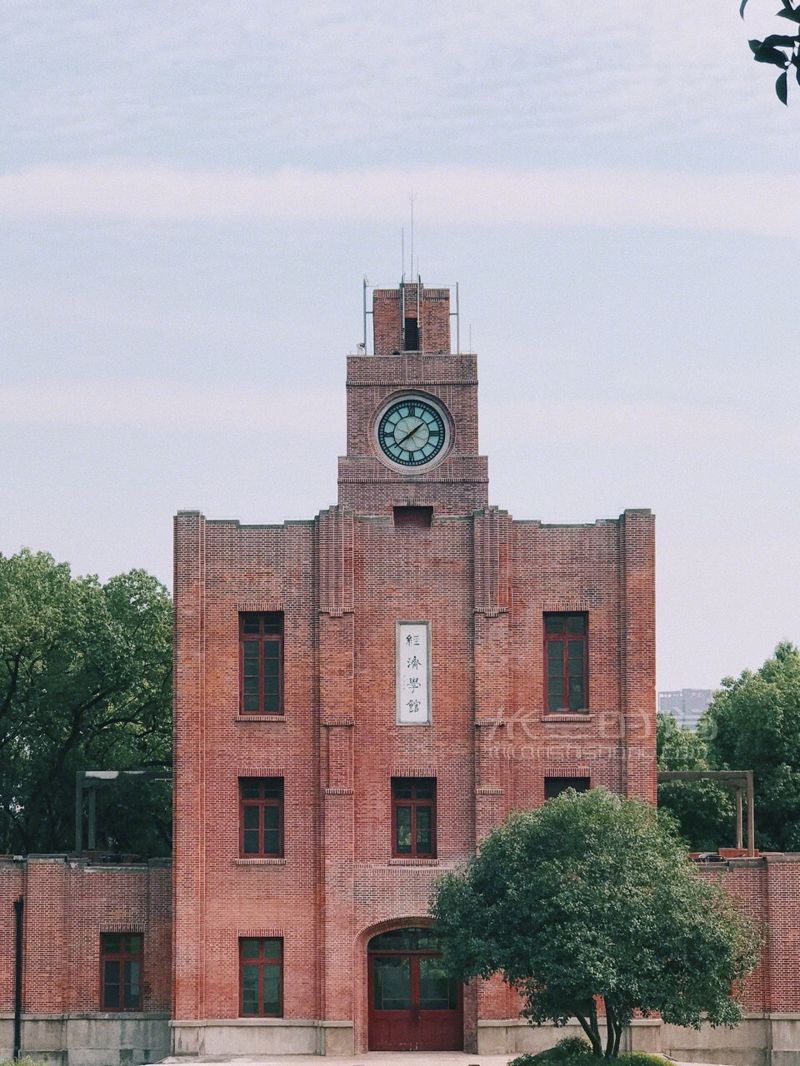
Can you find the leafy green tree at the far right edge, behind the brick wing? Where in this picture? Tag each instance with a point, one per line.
(754, 723)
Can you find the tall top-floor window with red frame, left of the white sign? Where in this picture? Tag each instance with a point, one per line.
(262, 643)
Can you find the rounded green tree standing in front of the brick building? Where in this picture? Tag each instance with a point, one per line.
(593, 897)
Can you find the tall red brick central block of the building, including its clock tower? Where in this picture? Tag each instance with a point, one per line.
(362, 697)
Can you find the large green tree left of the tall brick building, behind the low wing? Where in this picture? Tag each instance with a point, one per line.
(85, 685)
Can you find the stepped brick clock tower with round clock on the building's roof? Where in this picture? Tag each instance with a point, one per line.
(413, 413)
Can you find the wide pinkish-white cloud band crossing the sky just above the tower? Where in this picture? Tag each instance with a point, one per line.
(745, 203)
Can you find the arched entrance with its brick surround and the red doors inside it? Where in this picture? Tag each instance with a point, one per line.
(404, 1000)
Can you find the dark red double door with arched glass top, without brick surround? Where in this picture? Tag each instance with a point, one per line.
(414, 1006)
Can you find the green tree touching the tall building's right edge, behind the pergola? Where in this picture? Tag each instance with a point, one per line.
(703, 811)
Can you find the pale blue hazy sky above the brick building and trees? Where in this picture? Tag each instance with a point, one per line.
(191, 196)
